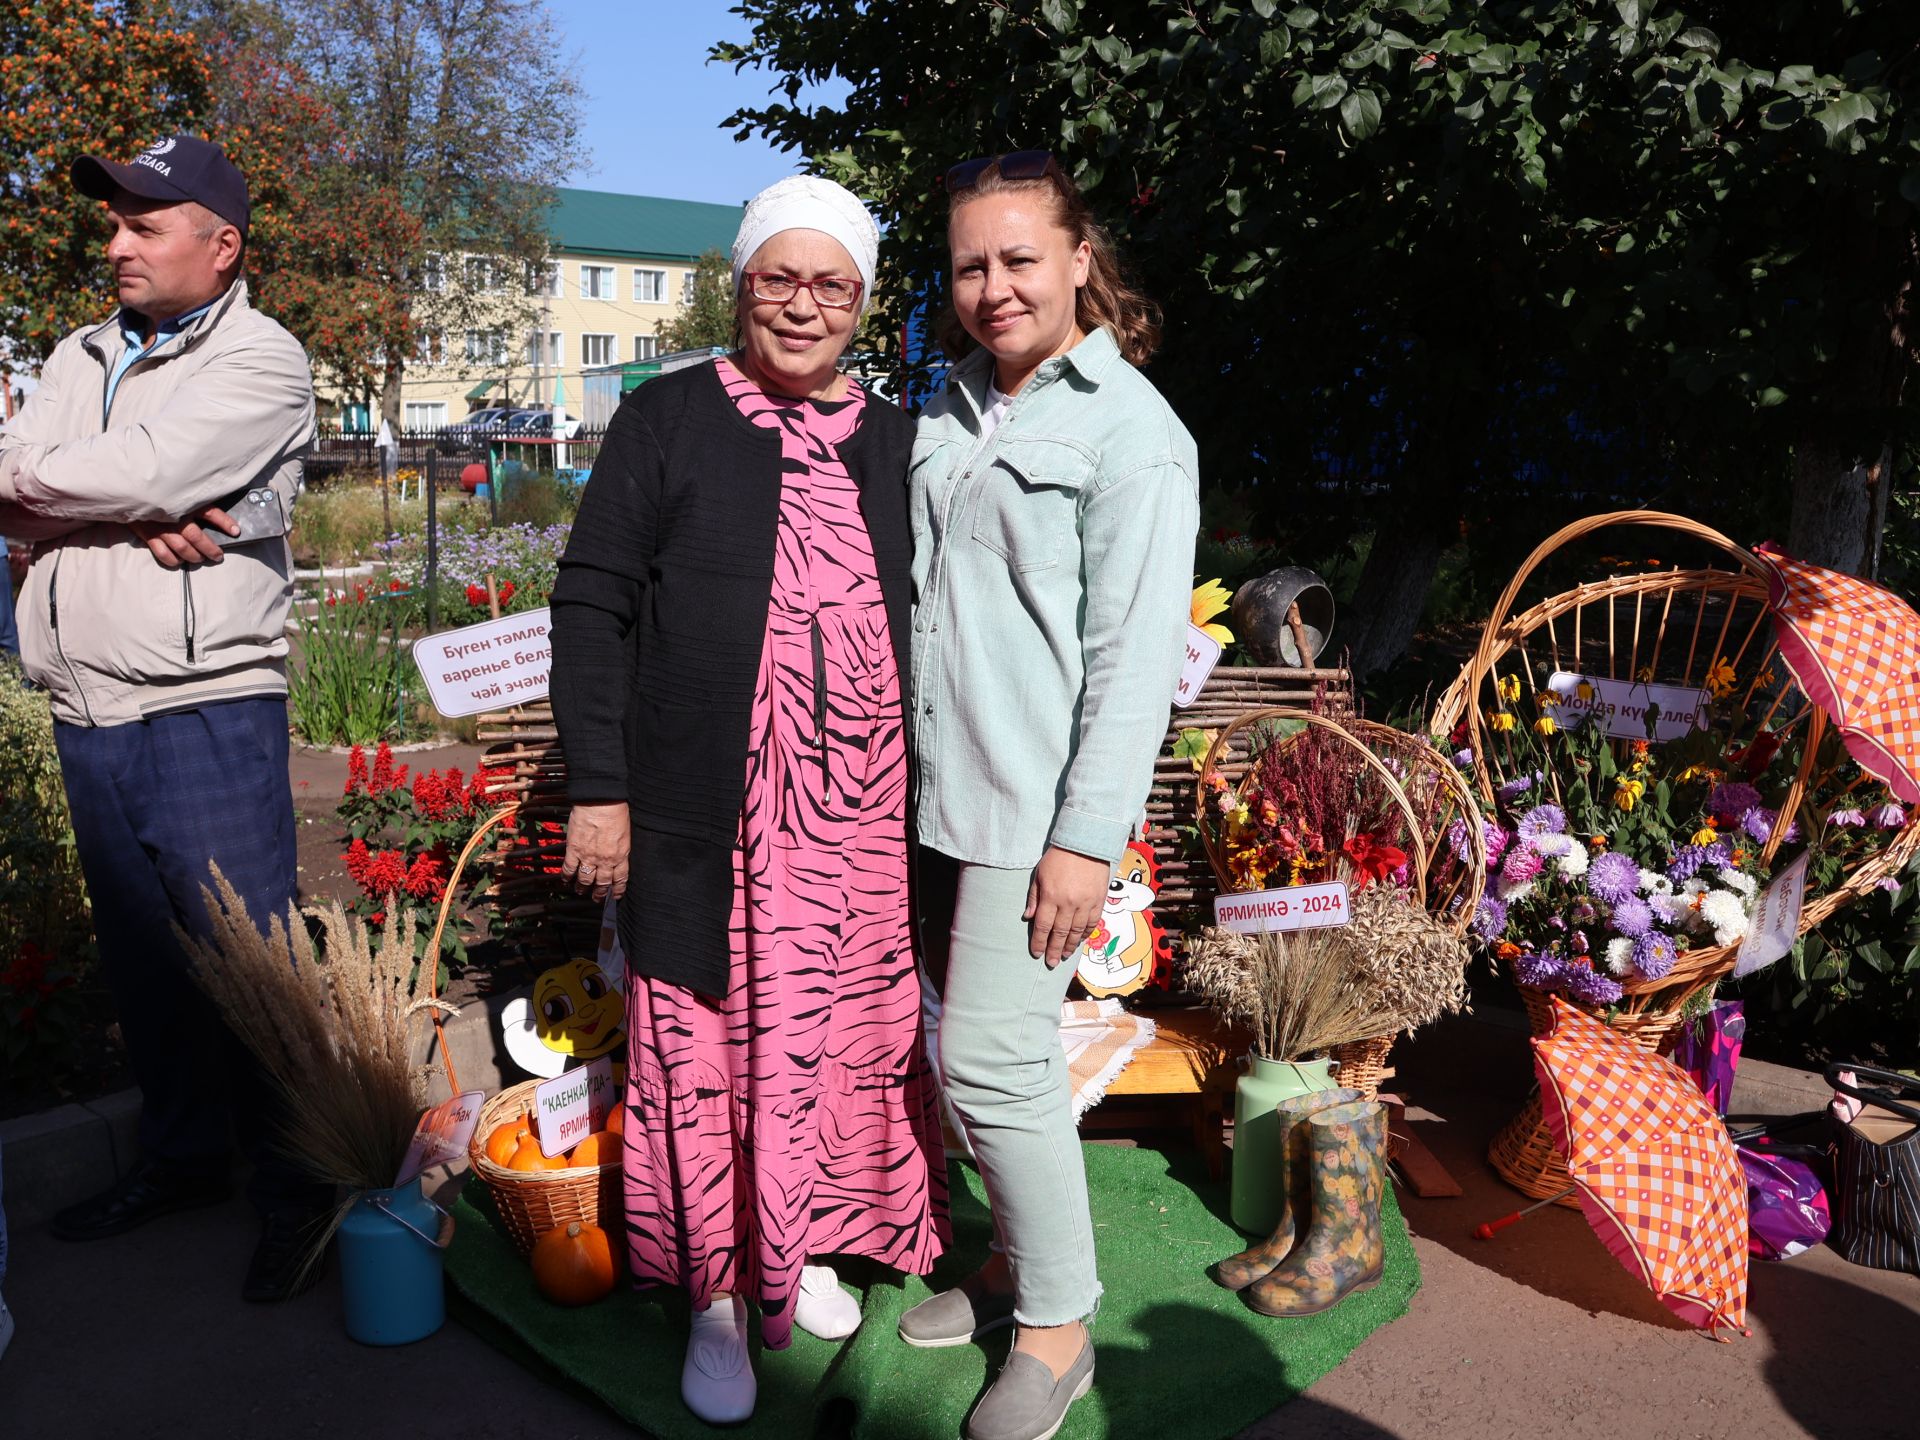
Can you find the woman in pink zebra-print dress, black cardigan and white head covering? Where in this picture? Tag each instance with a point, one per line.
(729, 644)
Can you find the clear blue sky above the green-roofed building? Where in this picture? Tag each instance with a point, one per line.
(652, 105)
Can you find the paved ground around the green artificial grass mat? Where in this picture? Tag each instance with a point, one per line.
(1539, 1333)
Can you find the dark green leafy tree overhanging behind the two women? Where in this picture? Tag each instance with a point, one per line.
(1441, 268)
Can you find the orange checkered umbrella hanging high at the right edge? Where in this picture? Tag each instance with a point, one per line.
(1856, 650)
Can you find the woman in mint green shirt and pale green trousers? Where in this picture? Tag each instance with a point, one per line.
(1055, 508)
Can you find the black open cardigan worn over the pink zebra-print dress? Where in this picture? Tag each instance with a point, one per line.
(660, 615)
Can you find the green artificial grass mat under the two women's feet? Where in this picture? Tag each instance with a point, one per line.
(1178, 1356)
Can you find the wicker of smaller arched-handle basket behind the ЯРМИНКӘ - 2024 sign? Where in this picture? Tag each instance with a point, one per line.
(1424, 786)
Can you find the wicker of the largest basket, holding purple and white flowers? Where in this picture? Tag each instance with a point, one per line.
(1668, 627)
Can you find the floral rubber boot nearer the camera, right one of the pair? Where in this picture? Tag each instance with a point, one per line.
(1343, 1249)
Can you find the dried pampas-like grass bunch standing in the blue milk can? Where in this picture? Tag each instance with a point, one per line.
(329, 1026)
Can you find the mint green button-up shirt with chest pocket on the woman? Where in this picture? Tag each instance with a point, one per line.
(1053, 585)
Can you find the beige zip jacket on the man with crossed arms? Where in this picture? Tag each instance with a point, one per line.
(224, 406)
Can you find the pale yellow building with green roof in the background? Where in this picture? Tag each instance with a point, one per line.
(623, 268)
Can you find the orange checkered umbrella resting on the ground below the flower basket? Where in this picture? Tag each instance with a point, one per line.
(1652, 1163)
